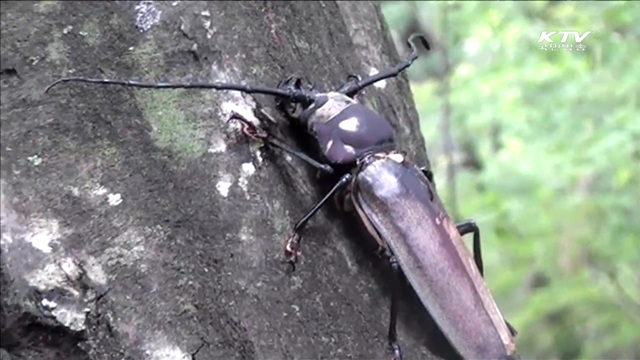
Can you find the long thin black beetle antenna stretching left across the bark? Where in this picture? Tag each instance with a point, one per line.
(294, 94)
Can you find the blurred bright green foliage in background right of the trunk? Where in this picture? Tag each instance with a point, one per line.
(557, 137)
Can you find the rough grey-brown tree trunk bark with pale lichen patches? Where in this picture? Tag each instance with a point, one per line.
(137, 224)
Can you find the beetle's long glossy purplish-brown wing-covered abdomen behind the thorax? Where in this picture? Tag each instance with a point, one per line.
(394, 197)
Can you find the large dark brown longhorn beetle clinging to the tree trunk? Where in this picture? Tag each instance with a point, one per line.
(395, 199)
